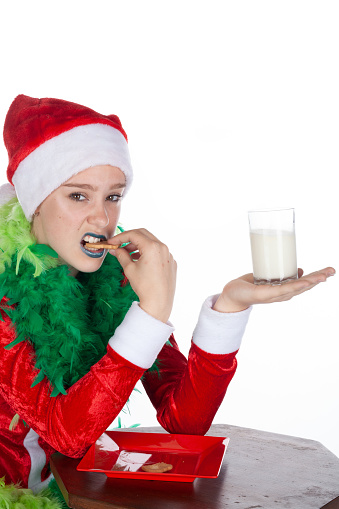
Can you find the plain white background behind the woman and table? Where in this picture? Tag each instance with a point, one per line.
(228, 106)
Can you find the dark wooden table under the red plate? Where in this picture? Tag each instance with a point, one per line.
(260, 470)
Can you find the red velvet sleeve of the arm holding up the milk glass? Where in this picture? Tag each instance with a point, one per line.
(187, 394)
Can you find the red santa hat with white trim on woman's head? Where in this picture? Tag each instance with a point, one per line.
(50, 140)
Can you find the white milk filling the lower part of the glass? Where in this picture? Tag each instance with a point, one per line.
(274, 255)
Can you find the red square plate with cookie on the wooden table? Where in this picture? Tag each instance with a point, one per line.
(122, 454)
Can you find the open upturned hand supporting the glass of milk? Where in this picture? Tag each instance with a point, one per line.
(241, 293)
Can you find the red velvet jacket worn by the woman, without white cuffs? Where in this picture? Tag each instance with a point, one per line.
(185, 393)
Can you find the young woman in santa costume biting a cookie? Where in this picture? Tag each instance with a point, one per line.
(81, 325)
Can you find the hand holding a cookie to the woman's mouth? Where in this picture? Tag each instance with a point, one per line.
(151, 271)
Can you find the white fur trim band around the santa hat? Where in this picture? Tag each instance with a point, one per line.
(58, 159)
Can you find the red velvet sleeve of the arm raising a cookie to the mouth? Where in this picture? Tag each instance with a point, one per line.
(69, 423)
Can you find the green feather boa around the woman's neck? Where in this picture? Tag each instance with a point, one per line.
(68, 320)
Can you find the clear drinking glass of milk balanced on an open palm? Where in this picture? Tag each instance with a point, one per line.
(273, 245)
